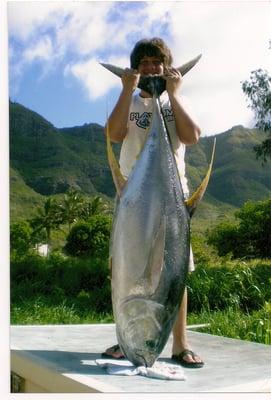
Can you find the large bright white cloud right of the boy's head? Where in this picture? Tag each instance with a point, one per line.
(233, 38)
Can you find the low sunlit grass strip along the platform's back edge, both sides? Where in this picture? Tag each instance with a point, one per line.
(232, 323)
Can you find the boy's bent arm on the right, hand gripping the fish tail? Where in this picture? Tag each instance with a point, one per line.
(186, 129)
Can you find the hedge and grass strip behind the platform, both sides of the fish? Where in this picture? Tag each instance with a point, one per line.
(232, 296)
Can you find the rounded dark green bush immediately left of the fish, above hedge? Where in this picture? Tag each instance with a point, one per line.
(89, 238)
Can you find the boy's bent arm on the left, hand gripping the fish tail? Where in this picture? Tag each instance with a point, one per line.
(118, 120)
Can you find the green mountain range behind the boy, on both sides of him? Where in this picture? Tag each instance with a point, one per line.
(47, 161)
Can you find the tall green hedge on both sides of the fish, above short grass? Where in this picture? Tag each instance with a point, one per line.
(85, 283)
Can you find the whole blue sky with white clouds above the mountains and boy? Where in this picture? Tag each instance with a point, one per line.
(55, 48)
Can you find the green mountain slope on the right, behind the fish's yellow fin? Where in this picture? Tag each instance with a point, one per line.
(237, 176)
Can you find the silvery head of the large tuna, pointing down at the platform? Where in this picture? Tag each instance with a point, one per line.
(140, 330)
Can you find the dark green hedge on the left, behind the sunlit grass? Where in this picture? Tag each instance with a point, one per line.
(60, 278)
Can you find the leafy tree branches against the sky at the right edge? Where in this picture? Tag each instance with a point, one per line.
(258, 91)
